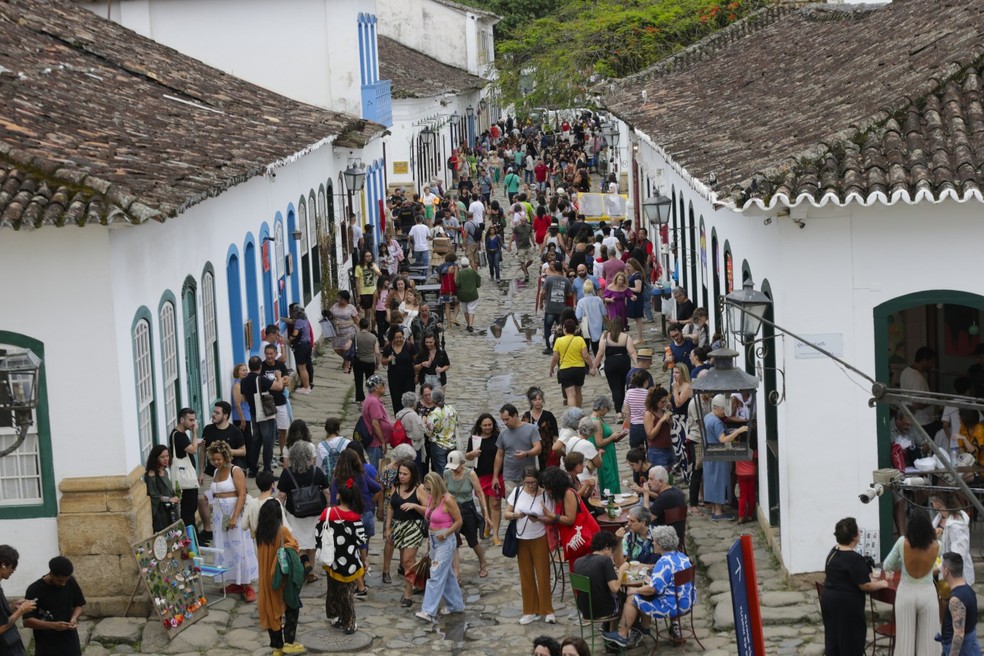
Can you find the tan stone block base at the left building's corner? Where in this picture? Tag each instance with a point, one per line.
(99, 518)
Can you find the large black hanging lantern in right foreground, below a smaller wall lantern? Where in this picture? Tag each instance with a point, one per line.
(721, 382)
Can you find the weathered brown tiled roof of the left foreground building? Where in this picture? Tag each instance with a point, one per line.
(99, 124)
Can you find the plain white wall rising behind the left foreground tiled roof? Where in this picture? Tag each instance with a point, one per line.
(304, 49)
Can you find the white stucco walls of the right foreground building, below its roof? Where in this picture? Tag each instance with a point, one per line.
(827, 278)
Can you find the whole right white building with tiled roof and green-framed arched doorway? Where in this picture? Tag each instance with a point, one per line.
(833, 155)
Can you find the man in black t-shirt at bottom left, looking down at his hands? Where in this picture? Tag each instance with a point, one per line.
(55, 620)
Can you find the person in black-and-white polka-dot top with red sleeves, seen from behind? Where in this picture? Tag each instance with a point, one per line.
(348, 534)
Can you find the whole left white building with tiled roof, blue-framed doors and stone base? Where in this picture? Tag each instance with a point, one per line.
(155, 214)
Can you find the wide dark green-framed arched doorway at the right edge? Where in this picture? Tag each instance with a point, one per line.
(945, 320)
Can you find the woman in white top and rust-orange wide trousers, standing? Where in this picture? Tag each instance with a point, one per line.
(525, 505)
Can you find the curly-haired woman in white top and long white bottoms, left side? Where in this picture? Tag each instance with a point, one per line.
(229, 494)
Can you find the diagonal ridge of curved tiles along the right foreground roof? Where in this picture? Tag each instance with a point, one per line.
(877, 124)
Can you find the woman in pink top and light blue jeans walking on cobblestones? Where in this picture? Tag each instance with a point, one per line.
(441, 511)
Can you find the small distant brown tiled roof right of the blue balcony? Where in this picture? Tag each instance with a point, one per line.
(415, 75)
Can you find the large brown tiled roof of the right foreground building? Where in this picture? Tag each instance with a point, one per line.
(824, 103)
